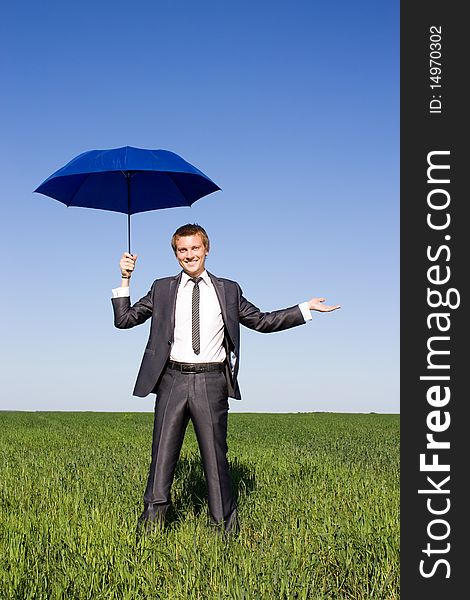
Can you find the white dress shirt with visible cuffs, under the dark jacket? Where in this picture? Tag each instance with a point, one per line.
(211, 322)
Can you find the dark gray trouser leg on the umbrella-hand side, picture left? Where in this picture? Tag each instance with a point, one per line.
(170, 421)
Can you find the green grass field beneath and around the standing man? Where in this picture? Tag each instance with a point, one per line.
(318, 499)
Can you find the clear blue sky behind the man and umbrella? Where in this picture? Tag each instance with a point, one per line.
(293, 110)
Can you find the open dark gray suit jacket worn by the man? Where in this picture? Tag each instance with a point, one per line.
(159, 305)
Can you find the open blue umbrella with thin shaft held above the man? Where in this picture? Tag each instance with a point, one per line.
(128, 180)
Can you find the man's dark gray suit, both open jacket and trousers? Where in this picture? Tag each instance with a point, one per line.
(201, 397)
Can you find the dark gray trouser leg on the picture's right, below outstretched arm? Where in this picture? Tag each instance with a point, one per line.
(208, 408)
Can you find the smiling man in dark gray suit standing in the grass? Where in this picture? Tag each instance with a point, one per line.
(191, 363)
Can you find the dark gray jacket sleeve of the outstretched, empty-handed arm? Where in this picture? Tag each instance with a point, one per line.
(267, 322)
